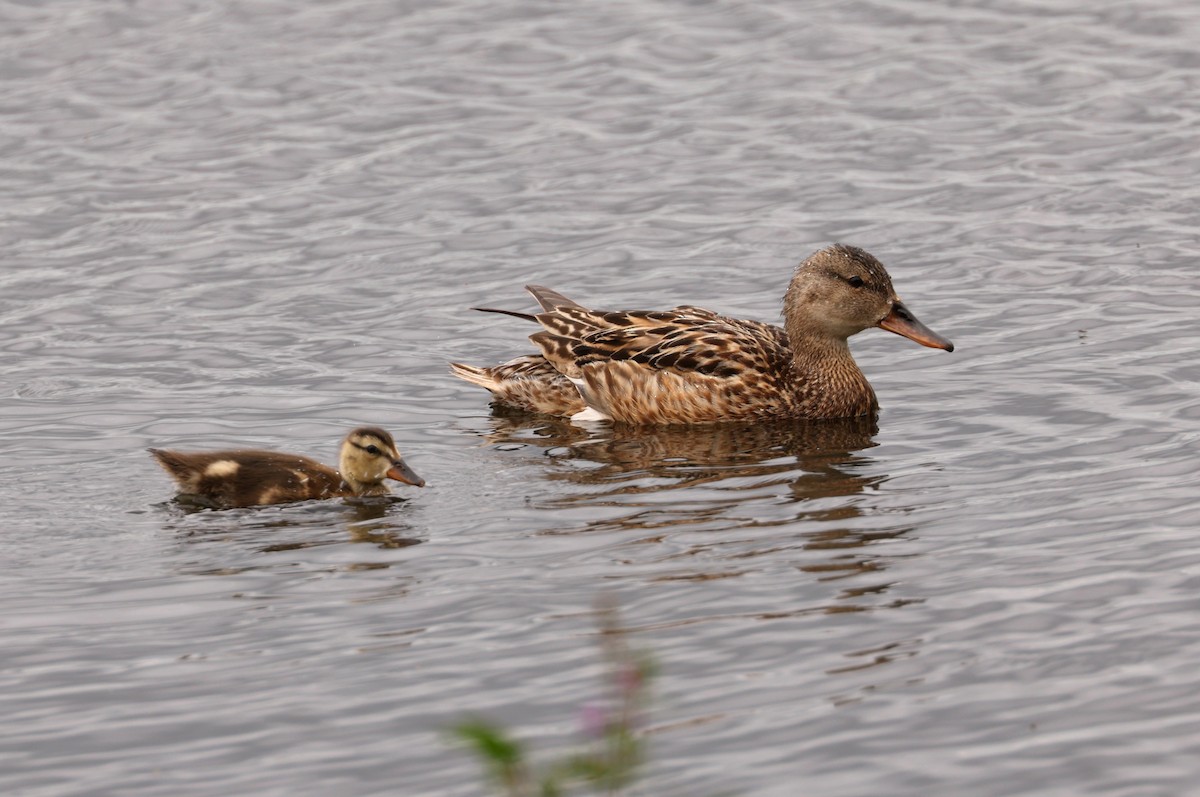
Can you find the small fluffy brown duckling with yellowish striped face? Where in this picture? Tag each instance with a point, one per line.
(248, 478)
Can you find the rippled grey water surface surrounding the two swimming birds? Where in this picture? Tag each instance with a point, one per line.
(265, 223)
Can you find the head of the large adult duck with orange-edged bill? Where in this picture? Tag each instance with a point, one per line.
(839, 292)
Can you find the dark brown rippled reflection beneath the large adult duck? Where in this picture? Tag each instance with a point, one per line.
(797, 483)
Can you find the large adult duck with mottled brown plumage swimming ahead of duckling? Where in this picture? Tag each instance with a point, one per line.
(692, 365)
